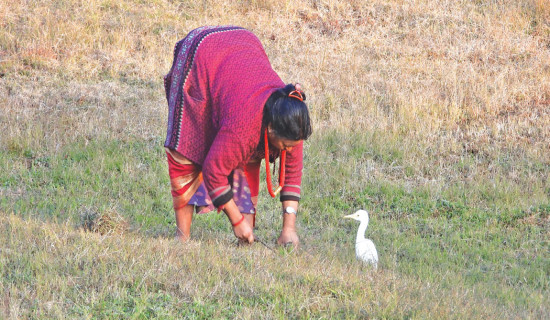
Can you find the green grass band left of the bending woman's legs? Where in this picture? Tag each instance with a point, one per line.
(90, 176)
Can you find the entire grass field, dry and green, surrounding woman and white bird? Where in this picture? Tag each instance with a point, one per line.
(432, 115)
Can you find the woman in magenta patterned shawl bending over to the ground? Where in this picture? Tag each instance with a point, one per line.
(224, 102)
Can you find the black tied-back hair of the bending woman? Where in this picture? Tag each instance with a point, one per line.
(288, 116)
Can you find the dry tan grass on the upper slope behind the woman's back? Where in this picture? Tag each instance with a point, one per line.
(463, 76)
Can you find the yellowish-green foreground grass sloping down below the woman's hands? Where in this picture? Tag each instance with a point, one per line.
(64, 272)
